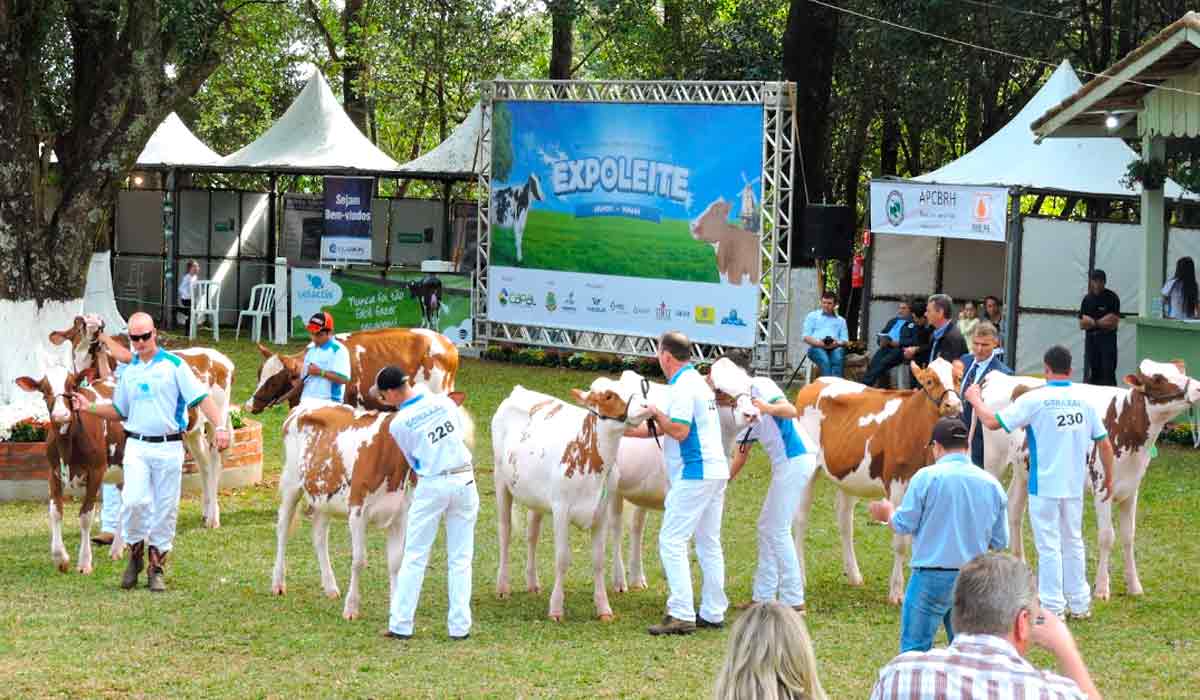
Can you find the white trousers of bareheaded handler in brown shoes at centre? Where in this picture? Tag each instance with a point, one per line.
(694, 507)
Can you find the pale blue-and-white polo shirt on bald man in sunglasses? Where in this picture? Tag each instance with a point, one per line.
(153, 398)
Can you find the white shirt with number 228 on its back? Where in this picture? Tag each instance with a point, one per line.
(428, 429)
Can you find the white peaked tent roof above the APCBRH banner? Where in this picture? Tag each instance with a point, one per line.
(1012, 158)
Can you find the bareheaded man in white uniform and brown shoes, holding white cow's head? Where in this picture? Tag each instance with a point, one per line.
(698, 474)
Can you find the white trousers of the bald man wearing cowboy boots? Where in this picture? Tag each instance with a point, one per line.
(154, 472)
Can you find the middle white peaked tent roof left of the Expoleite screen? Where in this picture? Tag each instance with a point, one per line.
(314, 136)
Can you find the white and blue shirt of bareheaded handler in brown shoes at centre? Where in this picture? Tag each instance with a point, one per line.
(700, 456)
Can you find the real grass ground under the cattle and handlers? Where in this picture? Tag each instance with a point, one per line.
(220, 633)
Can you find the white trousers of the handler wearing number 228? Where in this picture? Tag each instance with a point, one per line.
(458, 498)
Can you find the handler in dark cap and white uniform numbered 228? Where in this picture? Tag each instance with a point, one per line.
(428, 429)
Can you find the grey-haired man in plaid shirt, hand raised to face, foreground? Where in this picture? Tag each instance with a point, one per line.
(995, 619)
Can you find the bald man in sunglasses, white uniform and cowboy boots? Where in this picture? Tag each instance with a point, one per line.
(152, 402)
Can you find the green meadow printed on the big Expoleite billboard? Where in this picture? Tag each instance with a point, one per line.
(608, 246)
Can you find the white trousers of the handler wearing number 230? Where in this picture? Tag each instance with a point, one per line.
(1058, 534)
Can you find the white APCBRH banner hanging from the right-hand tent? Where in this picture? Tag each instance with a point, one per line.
(943, 211)
